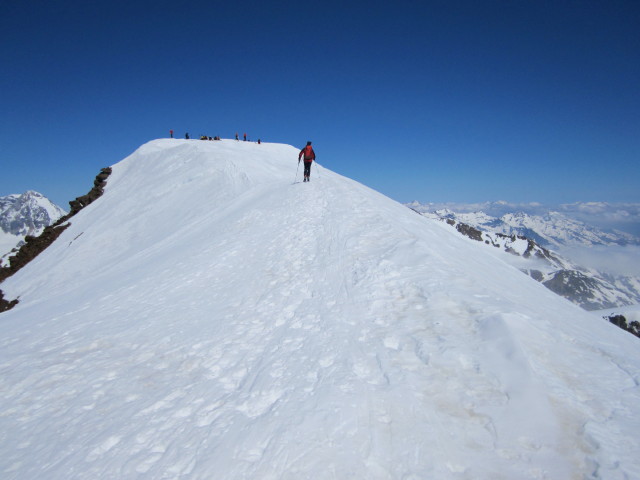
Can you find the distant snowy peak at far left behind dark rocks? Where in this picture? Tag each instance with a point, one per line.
(24, 214)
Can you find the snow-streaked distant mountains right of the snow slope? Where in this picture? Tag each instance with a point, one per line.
(531, 241)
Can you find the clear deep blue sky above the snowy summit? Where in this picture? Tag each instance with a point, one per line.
(435, 101)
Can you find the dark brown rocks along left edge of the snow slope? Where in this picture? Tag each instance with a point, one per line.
(33, 246)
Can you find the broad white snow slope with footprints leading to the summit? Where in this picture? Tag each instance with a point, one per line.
(208, 318)
